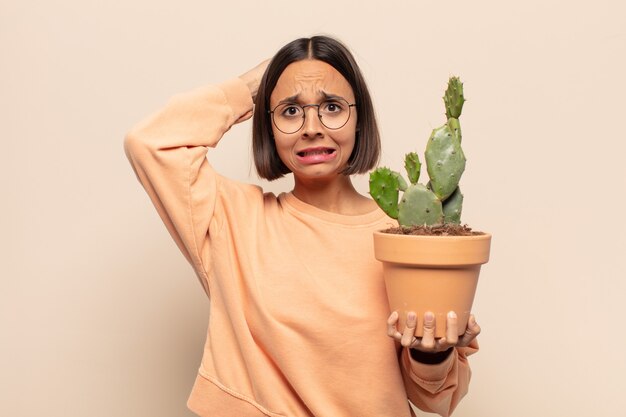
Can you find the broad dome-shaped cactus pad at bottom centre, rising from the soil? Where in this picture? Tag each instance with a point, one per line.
(419, 206)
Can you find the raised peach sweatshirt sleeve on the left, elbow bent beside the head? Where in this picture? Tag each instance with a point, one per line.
(168, 154)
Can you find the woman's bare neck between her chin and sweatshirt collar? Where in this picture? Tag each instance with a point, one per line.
(336, 196)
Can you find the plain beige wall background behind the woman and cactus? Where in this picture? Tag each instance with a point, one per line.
(100, 314)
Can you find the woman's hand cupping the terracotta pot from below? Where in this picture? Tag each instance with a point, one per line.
(428, 343)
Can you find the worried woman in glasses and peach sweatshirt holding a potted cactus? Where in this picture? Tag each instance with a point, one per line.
(298, 305)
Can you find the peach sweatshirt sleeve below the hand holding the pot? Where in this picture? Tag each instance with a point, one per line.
(437, 388)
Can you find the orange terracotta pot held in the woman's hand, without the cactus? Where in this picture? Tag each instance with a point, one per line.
(431, 273)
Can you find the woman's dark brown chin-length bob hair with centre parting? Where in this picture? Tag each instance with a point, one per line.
(366, 151)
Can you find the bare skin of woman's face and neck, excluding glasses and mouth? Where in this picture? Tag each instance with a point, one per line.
(320, 184)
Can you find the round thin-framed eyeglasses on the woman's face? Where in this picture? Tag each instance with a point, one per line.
(333, 113)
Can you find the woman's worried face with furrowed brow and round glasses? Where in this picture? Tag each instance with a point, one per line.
(314, 151)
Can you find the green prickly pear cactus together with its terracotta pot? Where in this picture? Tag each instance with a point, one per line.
(431, 262)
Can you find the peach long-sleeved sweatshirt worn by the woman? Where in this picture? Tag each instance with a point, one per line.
(298, 310)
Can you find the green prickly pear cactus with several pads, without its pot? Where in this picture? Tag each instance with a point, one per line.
(440, 200)
